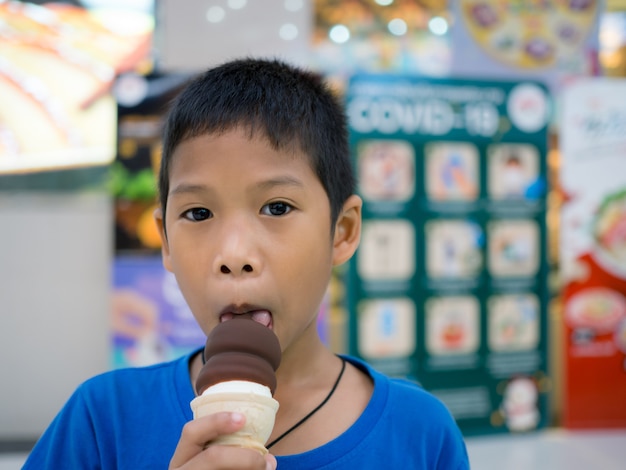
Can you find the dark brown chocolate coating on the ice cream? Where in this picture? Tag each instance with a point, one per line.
(240, 349)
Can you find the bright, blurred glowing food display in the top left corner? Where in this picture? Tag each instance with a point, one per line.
(57, 65)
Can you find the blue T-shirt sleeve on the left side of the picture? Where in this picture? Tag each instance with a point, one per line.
(69, 441)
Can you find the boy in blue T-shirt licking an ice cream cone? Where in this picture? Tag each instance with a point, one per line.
(257, 206)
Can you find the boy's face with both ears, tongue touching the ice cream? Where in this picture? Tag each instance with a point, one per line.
(248, 231)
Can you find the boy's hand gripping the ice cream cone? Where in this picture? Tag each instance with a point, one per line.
(192, 451)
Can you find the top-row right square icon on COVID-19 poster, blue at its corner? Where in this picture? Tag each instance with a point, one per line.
(513, 172)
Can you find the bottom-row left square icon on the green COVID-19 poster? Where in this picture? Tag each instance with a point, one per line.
(386, 328)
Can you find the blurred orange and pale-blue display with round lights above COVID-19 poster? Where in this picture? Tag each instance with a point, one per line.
(361, 35)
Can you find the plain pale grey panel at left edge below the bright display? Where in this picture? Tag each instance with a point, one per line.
(55, 263)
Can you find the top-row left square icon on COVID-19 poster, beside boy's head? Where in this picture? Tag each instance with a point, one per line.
(386, 170)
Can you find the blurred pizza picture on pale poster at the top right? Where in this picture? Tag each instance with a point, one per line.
(552, 41)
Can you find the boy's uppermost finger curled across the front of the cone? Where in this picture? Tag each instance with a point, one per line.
(198, 432)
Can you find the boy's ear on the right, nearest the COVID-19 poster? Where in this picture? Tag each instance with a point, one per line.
(347, 230)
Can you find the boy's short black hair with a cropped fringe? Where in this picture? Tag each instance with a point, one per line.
(292, 107)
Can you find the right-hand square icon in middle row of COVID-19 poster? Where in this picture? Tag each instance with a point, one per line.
(513, 248)
